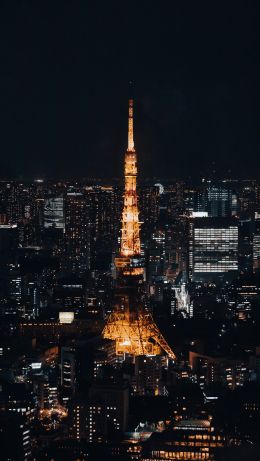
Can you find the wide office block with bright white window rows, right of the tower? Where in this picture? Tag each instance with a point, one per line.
(213, 248)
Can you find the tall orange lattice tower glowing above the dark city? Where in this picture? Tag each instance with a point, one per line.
(130, 324)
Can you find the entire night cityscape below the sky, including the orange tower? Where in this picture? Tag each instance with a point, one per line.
(129, 341)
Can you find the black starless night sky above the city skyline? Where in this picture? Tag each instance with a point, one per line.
(64, 72)
